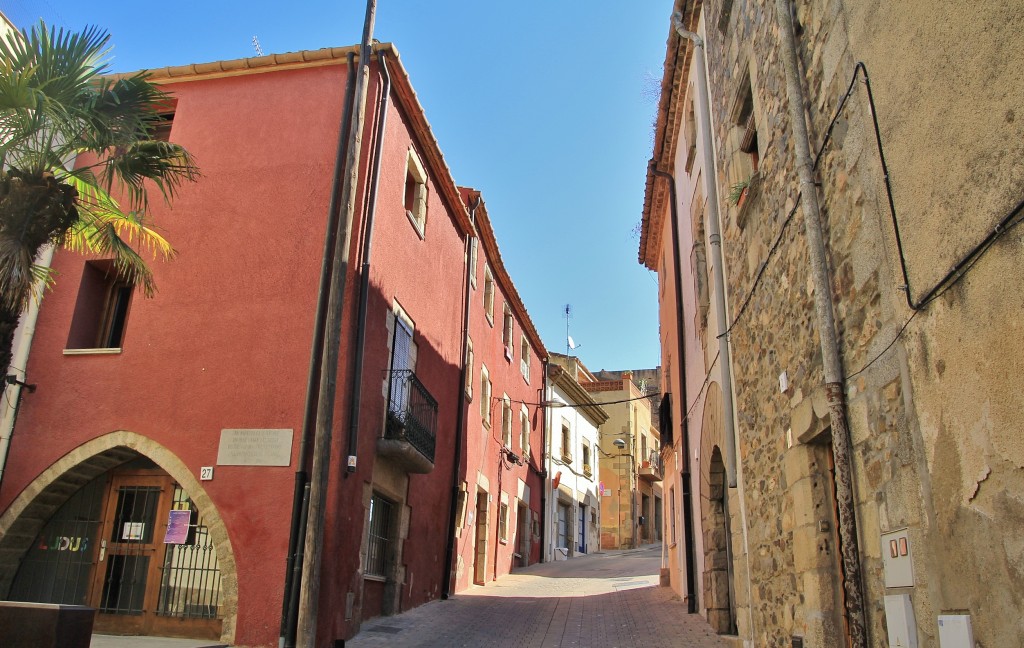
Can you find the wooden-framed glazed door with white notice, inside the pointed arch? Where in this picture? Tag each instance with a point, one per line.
(131, 553)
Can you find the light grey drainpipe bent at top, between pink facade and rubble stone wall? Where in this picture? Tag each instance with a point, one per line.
(715, 239)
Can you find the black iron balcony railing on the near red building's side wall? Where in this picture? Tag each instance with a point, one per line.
(412, 413)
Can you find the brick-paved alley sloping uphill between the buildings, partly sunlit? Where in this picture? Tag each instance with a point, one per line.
(599, 601)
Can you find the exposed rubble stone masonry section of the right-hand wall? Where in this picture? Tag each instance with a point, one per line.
(784, 438)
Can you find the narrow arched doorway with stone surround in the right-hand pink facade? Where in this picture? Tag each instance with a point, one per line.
(717, 591)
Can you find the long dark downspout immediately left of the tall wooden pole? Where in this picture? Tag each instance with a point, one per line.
(301, 498)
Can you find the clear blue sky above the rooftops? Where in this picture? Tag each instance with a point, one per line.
(547, 108)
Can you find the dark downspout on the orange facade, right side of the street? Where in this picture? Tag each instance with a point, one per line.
(689, 540)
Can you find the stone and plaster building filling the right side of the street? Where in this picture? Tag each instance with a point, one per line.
(916, 152)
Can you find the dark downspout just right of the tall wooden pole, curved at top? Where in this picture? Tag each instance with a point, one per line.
(361, 330)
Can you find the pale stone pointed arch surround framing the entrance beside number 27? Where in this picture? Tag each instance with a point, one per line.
(27, 515)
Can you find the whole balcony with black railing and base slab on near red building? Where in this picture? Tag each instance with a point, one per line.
(411, 431)
